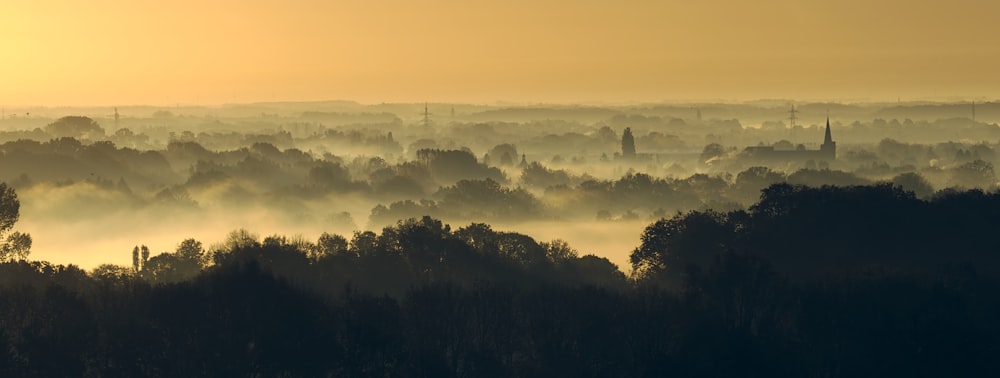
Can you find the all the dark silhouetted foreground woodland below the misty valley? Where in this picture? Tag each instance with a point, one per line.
(711, 299)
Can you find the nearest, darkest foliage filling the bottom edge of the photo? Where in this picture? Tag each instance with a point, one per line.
(240, 320)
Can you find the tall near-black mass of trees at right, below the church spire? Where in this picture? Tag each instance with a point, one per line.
(809, 233)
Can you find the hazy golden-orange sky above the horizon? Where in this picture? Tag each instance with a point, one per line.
(104, 52)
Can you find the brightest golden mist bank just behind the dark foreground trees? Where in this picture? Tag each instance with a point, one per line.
(84, 225)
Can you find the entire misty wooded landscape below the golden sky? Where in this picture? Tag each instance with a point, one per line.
(879, 262)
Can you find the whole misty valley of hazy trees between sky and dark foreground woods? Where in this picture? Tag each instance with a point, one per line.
(91, 189)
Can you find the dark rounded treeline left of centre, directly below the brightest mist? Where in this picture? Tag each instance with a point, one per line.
(410, 253)
